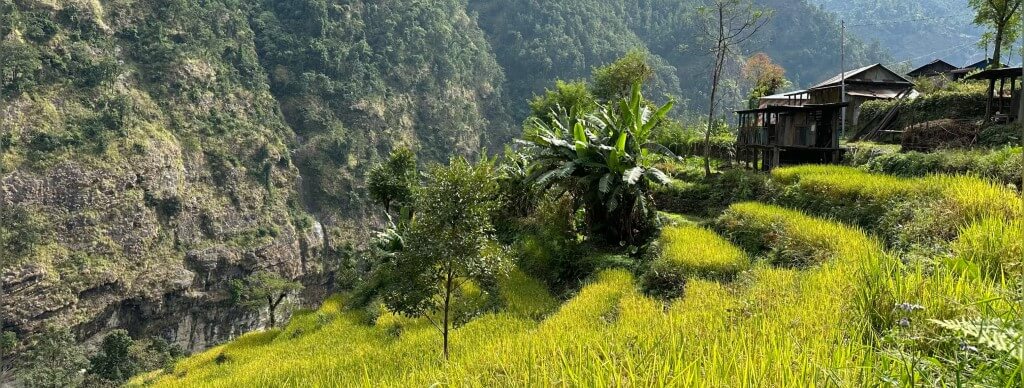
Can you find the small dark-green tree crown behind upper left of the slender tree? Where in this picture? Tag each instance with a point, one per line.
(392, 182)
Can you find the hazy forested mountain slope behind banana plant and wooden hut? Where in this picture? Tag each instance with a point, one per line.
(537, 41)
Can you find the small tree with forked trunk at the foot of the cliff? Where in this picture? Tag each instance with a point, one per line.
(264, 289)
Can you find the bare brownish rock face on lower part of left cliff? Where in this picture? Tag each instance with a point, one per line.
(140, 246)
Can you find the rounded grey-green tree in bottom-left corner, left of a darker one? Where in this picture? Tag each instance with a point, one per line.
(54, 360)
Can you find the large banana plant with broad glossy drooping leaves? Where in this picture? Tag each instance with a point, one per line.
(606, 161)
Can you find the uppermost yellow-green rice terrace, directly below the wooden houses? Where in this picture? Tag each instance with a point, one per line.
(907, 211)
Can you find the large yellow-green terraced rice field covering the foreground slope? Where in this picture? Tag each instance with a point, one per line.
(826, 305)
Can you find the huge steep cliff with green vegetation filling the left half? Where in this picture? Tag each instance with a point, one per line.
(152, 151)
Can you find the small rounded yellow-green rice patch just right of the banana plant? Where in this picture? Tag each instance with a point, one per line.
(692, 252)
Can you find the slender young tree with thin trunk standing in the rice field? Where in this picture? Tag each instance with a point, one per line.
(445, 244)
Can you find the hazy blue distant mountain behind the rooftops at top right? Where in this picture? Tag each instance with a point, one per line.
(916, 32)
